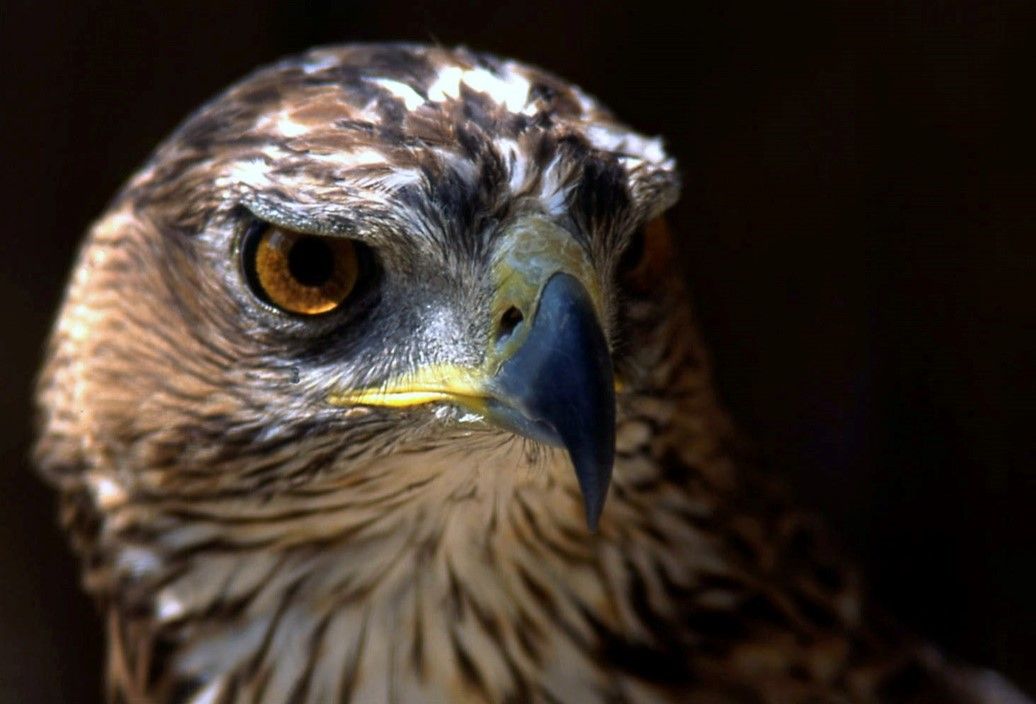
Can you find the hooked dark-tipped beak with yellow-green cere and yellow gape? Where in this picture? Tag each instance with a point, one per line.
(548, 375)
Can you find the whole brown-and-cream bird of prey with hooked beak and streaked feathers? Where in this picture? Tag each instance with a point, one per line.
(378, 384)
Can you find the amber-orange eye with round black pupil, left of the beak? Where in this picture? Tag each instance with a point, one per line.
(299, 273)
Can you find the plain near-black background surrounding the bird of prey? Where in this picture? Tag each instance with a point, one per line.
(857, 228)
